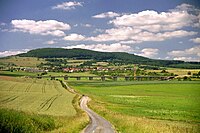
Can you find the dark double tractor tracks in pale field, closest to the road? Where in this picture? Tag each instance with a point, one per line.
(48, 102)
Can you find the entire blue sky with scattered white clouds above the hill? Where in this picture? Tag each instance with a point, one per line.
(158, 29)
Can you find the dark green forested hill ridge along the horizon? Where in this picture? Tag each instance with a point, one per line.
(121, 57)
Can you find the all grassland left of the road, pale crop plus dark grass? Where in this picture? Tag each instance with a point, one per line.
(39, 102)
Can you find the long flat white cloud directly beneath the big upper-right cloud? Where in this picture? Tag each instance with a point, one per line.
(138, 36)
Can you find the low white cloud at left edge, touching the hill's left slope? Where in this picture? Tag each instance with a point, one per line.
(12, 52)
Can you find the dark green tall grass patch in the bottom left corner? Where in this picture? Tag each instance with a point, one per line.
(17, 122)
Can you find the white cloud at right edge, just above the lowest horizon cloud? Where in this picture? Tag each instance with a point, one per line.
(187, 52)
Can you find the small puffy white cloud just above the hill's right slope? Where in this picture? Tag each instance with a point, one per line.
(149, 52)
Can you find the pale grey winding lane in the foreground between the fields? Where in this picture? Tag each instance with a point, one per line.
(97, 124)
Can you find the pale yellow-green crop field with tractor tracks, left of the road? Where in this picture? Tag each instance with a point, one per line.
(36, 96)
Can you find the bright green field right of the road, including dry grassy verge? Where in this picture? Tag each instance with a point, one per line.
(149, 106)
